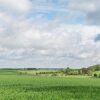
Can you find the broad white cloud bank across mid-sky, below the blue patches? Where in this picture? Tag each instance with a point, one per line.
(60, 41)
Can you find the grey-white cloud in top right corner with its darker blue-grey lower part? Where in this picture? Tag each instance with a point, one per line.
(90, 8)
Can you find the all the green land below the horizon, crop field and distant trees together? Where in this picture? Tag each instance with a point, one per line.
(60, 84)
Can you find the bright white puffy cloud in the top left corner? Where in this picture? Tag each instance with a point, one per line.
(15, 5)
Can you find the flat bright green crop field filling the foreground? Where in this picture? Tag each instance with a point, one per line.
(14, 86)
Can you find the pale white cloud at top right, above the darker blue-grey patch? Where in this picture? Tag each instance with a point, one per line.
(85, 5)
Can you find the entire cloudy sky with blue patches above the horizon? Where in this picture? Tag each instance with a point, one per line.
(49, 33)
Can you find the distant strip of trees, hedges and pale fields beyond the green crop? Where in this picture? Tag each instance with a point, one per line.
(90, 71)
